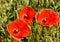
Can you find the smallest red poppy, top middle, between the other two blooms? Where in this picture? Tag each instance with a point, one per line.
(26, 14)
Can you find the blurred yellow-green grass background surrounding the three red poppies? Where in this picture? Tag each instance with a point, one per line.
(9, 10)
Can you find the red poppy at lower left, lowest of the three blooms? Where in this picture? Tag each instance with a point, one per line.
(18, 29)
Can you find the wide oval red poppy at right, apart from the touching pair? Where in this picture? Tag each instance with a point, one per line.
(47, 17)
